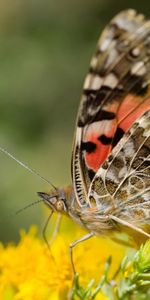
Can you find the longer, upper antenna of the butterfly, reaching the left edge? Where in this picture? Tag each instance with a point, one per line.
(6, 152)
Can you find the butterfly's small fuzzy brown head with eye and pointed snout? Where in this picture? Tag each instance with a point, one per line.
(56, 200)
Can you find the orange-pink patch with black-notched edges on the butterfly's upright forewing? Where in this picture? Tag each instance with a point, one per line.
(130, 109)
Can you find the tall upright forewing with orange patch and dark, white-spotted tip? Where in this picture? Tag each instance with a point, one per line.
(115, 94)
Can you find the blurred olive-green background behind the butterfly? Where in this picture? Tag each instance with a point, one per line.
(45, 49)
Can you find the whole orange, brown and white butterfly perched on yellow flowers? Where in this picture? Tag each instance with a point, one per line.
(110, 192)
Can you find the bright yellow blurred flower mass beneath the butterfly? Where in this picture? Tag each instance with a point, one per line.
(31, 271)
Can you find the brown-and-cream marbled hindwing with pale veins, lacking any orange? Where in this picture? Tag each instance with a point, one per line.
(121, 187)
